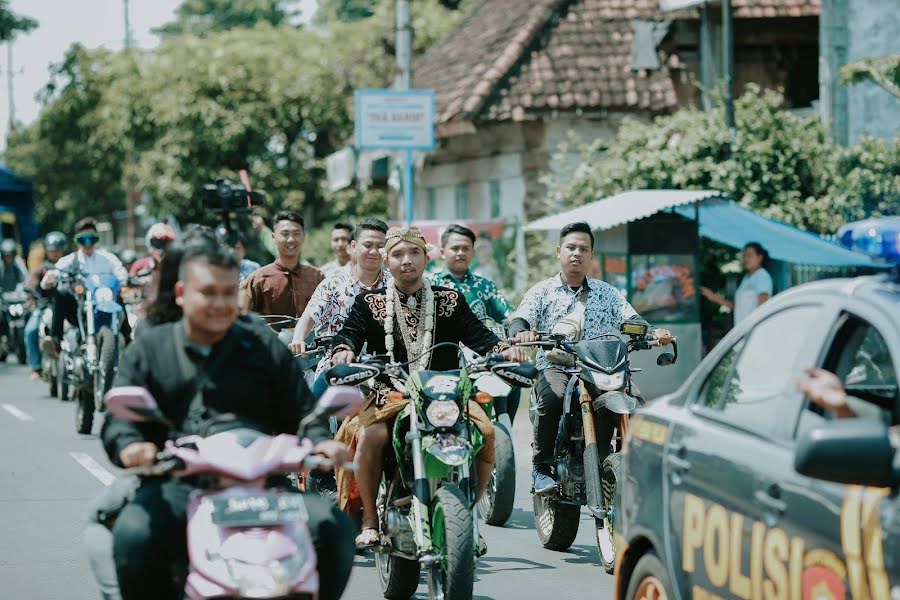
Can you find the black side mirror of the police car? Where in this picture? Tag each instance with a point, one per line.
(851, 451)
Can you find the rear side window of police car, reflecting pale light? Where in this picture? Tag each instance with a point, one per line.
(746, 387)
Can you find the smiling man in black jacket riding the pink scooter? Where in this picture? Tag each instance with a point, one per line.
(205, 365)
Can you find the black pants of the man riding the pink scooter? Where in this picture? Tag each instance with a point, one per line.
(149, 541)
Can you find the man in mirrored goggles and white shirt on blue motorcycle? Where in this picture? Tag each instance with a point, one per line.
(92, 261)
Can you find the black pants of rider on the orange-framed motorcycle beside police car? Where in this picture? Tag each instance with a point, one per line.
(551, 387)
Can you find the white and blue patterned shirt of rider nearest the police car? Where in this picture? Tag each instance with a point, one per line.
(551, 300)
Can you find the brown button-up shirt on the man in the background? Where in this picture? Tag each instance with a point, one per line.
(276, 290)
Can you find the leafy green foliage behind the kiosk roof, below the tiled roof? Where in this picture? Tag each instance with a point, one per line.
(779, 164)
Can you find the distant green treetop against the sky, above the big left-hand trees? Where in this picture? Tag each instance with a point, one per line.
(202, 17)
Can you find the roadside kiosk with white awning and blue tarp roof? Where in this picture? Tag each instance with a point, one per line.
(648, 246)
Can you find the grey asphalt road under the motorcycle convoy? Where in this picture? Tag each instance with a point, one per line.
(45, 483)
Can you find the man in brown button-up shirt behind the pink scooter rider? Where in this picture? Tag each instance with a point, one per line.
(284, 286)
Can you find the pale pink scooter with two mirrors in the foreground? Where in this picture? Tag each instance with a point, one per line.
(244, 540)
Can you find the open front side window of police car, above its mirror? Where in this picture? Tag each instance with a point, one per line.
(860, 357)
